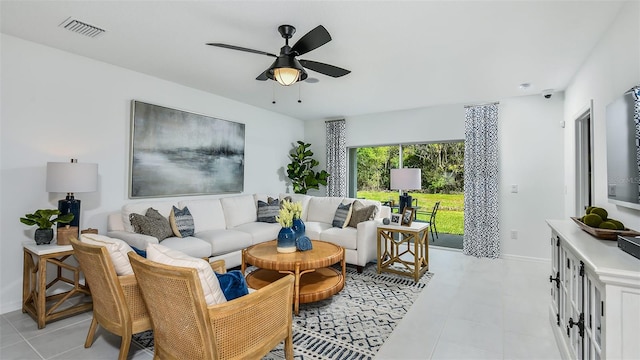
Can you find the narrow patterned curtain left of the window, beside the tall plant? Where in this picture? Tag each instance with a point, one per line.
(336, 158)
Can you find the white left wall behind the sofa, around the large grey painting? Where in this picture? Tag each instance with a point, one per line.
(56, 105)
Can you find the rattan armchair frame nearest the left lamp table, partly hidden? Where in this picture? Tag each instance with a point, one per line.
(117, 303)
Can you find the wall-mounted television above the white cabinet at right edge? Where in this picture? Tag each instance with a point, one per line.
(623, 150)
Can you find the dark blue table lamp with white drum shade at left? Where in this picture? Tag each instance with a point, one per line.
(70, 178)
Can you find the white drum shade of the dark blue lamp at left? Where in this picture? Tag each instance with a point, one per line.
(72, 177)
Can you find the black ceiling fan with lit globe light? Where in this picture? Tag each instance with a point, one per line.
(287, 69)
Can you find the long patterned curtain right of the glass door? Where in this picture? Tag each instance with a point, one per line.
(481, 230)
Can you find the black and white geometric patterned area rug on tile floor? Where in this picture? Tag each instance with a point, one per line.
(352, 324)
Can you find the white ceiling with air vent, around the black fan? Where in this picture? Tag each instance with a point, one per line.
(402, 55)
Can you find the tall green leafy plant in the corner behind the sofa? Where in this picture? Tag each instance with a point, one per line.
(301, 172)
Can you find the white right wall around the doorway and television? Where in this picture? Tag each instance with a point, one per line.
(612, 68)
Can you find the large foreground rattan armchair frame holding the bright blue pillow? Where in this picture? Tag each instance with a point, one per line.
(184, 327)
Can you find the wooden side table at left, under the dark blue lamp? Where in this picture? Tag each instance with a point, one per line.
(36, 302)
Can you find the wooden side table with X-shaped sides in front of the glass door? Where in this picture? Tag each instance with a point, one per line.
(392, 240)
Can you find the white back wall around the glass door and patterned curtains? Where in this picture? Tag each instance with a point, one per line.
(531, 141)
